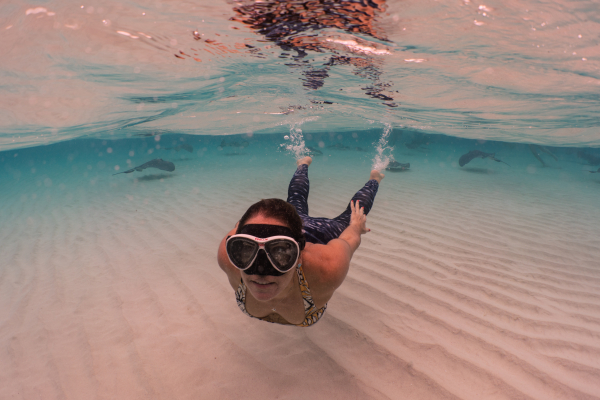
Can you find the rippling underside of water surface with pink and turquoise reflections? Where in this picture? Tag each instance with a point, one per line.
(524, 72)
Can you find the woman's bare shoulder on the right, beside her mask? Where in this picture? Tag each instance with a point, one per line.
(326, 266)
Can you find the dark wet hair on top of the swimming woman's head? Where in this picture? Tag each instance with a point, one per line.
(278, 209)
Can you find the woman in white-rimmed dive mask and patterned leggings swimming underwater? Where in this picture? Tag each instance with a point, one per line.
(273, 284)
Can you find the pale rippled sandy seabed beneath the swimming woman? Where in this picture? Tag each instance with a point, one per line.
(475, 283)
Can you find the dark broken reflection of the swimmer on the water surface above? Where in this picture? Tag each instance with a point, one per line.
(307, 25)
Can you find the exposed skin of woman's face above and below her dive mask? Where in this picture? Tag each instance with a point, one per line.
(268, 287)
